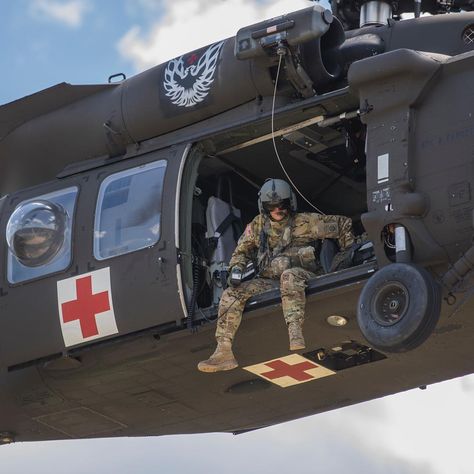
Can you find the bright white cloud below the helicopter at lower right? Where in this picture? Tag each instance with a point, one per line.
(421, 427)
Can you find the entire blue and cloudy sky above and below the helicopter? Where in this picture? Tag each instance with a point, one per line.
(83, 42)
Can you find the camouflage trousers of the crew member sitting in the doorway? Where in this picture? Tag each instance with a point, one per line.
(293, 299)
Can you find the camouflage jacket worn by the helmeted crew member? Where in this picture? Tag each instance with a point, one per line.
(294, 232)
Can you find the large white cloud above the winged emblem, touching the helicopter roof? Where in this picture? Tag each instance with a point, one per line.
(186, 25)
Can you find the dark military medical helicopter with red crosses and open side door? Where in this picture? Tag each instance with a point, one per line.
(122, 202)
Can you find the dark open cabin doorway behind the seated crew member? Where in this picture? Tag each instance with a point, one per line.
(219, 195)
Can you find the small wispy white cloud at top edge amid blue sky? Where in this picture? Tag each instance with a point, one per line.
(70, 13)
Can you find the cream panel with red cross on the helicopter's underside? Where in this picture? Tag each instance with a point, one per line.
(289, 370)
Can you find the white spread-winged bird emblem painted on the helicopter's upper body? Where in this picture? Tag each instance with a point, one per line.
(187, 86)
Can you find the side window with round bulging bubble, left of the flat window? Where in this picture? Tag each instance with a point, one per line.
(39, 235)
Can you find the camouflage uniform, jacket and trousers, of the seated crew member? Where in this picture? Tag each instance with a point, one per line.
(285, 251)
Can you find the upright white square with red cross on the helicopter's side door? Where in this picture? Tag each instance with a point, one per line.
(85, 307)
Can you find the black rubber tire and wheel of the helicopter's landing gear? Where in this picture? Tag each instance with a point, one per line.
(399, 307)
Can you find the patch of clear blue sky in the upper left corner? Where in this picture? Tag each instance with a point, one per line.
(45, 48)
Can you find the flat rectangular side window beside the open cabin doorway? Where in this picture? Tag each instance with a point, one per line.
(128, 212)
